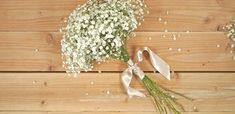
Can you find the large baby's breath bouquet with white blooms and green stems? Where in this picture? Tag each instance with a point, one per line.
(97, 31)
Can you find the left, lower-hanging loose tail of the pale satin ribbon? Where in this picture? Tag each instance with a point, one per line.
(126, 80)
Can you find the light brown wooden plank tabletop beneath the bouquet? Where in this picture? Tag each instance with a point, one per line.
(32, 80)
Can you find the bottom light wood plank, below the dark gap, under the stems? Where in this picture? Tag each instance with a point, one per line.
(58, 93)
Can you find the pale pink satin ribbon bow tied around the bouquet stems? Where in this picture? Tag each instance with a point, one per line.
(159, 64)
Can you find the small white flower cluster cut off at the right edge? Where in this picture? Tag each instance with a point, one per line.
(230, 28)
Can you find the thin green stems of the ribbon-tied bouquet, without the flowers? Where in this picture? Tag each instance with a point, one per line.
(163, 98)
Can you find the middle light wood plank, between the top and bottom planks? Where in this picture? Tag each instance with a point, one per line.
(18, 51)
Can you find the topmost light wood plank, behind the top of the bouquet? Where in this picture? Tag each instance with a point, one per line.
(47, 15)
